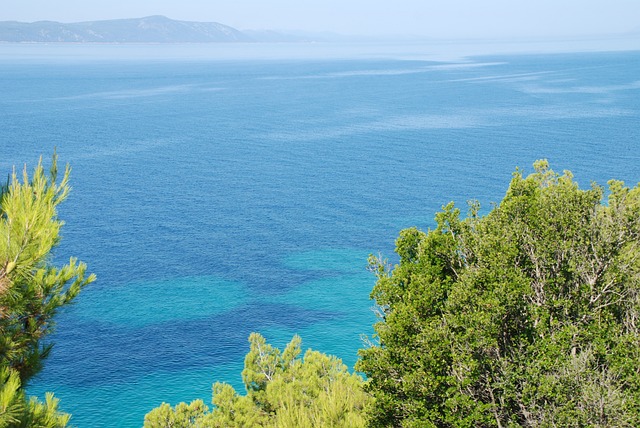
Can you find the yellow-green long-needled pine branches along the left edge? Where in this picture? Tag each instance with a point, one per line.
(31, 290)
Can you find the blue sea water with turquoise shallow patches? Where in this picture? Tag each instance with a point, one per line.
(214, 197)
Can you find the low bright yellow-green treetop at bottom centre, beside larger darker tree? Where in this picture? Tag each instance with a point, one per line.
(283, 390)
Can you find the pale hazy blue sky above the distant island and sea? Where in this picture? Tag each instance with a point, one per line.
(438, 18)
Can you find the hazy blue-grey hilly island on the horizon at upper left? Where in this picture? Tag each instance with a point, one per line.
(151, 29)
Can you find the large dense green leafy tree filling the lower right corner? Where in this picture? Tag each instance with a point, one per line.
(528, 316)
